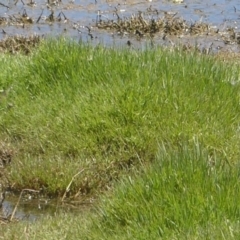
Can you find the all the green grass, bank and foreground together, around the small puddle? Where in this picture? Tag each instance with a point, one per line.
(158, 128)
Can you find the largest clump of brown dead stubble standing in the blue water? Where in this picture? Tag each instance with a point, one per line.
(143, 23)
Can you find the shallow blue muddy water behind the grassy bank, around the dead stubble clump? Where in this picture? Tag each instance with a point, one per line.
(77, 19)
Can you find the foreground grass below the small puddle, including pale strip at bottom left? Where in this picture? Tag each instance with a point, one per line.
(183, 194)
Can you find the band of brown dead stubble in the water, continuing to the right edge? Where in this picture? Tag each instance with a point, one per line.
(152, 21)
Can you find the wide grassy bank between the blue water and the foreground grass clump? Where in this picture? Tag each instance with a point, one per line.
(69, 108)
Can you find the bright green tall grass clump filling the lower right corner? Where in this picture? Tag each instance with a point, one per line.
(184, 194)
